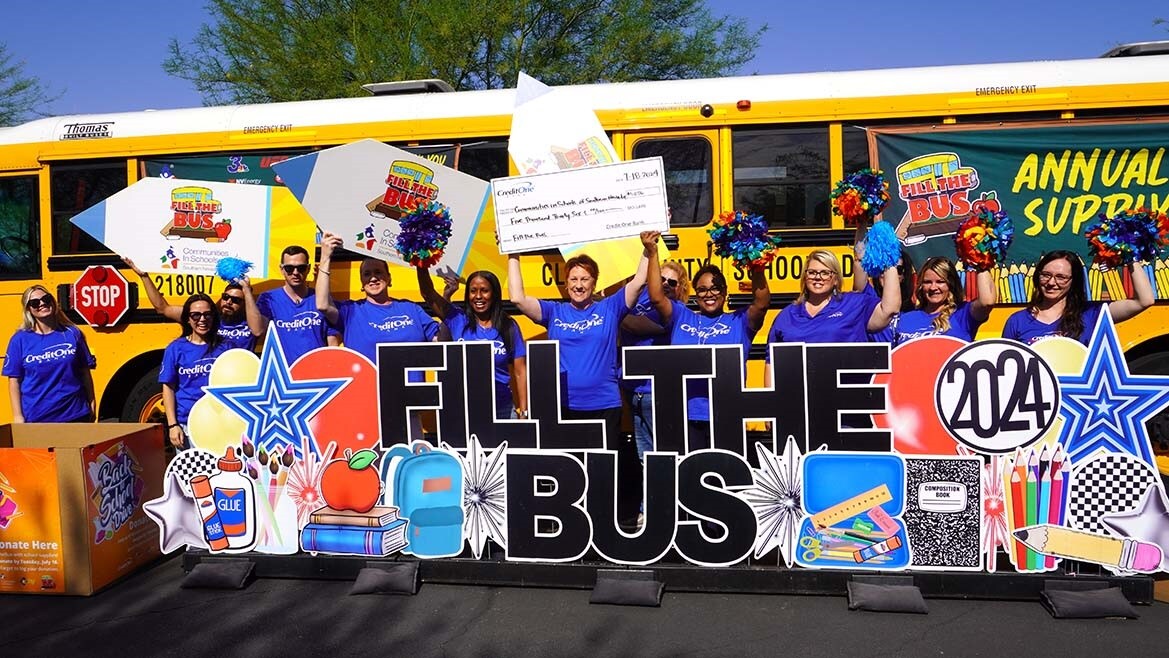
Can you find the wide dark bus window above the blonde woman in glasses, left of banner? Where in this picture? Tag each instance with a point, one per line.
(783, 175)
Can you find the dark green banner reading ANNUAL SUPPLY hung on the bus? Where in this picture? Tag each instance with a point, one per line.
(1052, 182)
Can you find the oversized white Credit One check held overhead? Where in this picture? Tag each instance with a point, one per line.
(585, 205)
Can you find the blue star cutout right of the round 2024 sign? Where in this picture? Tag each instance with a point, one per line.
(1105, 407)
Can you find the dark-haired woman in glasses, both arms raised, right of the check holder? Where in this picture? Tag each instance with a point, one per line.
(711, 325)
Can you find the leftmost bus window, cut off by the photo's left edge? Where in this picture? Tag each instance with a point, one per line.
(20, 246)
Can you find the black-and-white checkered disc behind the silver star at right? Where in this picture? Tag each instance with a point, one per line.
(1106, 484)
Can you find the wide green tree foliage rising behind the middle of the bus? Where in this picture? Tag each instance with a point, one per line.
(272, 51)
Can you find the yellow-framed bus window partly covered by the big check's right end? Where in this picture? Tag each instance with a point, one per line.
(689, 176)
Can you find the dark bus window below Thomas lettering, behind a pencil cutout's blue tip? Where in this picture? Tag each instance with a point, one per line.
(75, 189)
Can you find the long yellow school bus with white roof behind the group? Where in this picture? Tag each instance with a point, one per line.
(771, 146)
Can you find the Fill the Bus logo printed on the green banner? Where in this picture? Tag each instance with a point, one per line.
(938, 190)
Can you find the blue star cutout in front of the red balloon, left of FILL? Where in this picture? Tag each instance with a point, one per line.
(278, 408)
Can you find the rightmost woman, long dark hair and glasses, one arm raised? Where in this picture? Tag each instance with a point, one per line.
(1060, 304)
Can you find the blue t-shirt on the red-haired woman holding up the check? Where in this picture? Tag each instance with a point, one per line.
(589, 349)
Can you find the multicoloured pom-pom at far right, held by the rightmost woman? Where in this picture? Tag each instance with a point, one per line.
(1129, 238)
